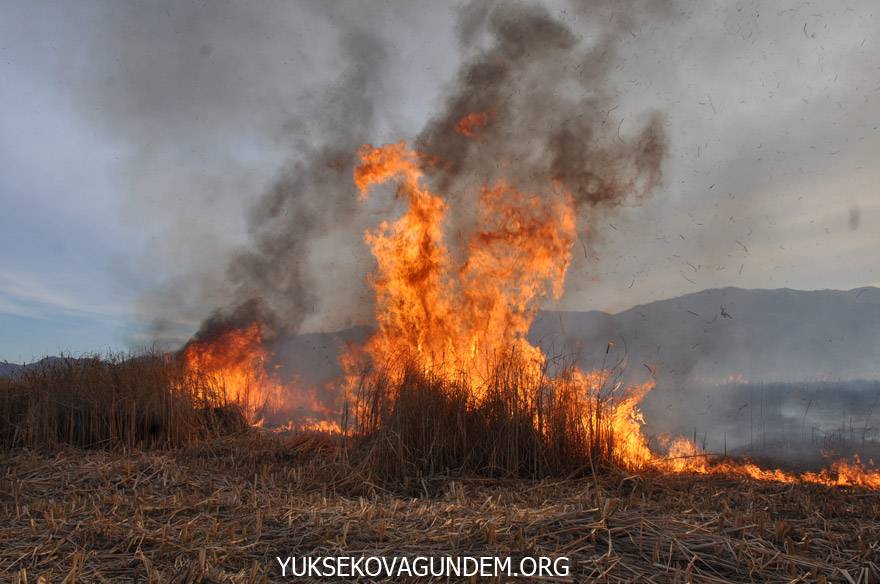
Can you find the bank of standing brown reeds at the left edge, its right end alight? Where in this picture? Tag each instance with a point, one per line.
(146, 401)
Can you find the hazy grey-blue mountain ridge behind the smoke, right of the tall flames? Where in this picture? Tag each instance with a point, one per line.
(783, 334)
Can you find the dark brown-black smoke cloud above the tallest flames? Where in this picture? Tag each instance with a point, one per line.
(549, 102)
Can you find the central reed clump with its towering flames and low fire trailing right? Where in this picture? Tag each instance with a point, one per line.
(452, 382)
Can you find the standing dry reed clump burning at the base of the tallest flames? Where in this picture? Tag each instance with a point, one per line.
(413, 423)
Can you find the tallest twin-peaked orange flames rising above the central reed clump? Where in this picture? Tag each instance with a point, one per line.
(459, 316)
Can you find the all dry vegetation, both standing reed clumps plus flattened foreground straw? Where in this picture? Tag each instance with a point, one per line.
(131, 470)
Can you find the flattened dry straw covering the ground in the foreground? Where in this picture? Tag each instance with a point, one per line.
(222, 511)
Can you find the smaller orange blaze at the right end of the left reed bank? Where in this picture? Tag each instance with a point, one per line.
(235, 365)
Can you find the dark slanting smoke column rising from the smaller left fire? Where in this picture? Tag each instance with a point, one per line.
(310, 196)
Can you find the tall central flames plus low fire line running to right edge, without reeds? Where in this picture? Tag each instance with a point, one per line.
(457, 314)
